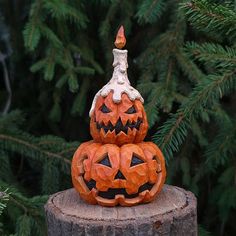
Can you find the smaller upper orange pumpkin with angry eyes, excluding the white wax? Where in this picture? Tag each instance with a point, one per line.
(125, 122)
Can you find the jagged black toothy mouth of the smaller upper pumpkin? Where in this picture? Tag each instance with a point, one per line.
(119, 127)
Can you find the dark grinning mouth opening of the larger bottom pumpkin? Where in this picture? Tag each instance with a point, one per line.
(112, 192)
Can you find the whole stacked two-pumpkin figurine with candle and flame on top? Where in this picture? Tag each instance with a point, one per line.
(117, 167)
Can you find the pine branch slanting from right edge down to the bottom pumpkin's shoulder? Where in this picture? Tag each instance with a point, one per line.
(174, 131)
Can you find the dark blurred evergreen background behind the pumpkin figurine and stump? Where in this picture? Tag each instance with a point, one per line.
(56, 54)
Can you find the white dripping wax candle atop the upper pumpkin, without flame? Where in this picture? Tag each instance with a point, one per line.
(119, 82)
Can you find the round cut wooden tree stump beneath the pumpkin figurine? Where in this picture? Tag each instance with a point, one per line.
(173, 212)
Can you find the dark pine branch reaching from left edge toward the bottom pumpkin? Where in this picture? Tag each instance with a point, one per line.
(44, 149)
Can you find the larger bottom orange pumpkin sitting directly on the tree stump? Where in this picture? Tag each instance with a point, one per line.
(109, 175)
